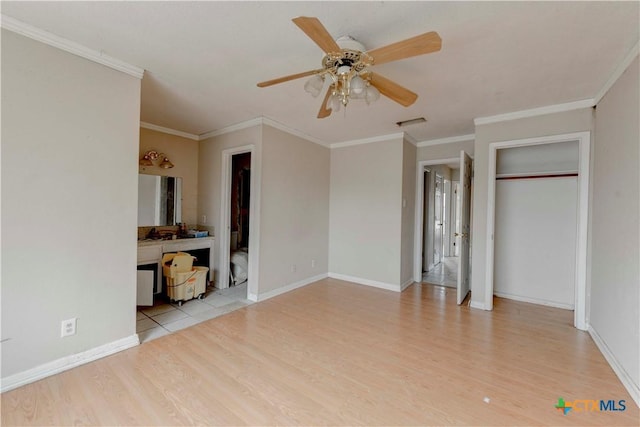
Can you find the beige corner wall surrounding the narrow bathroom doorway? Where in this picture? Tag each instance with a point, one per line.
(293, 210)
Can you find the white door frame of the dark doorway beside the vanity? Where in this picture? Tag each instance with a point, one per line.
(224, 232)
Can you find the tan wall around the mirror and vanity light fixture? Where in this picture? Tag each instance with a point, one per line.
(183, 153)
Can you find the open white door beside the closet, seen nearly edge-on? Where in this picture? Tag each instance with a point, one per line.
(465, 220)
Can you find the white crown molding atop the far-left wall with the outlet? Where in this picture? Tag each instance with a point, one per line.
(61, 43)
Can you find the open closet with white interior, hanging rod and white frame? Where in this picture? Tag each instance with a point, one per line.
(536, 241)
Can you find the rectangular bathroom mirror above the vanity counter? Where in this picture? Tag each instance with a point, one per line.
(159, 200)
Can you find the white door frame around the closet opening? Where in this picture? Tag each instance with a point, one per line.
(584, 147)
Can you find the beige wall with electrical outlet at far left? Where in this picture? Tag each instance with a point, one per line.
(69, 204)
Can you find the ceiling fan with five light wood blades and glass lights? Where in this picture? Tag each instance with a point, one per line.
(346, 66)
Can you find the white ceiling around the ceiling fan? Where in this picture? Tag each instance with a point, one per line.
(202, 60)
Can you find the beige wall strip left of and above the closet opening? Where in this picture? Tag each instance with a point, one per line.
(551, 124)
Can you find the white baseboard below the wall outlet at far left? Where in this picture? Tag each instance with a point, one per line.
(67, 362)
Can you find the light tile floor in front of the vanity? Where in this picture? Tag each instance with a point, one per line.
(164, 318)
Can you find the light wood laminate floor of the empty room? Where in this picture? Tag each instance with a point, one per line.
(334, 353)
